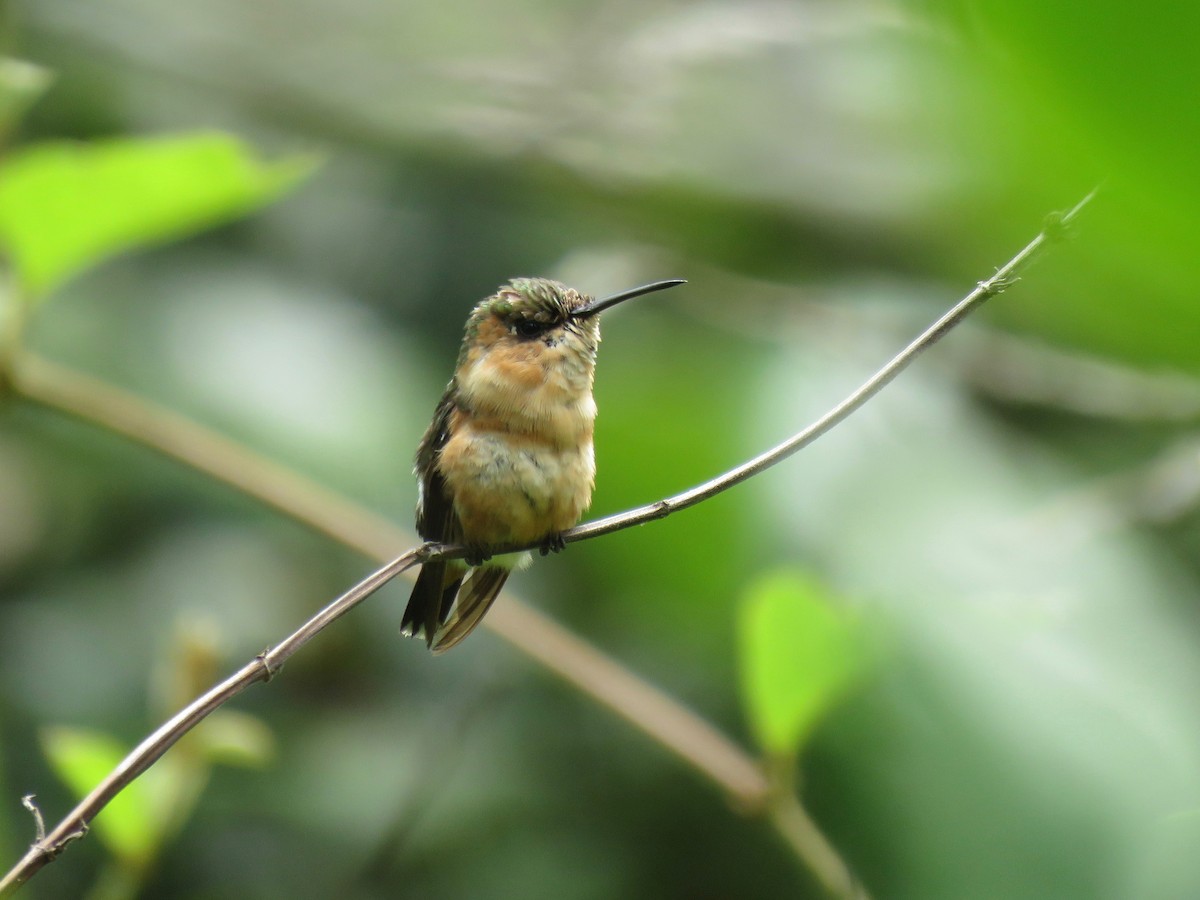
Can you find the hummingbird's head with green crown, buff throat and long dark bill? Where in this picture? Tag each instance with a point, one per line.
(531, 349)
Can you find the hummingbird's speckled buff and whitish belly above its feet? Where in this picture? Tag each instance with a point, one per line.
(513, 489)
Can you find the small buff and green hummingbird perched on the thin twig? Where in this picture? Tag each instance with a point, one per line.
(508, 458)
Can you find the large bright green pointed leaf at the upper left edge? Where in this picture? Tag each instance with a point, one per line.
(65, 207)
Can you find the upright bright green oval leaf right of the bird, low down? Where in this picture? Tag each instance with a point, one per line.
(800, 653)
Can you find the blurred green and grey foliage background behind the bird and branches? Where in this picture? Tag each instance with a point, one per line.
(1015, 521)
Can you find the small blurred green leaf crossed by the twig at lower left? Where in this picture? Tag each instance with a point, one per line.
(83, 759)
